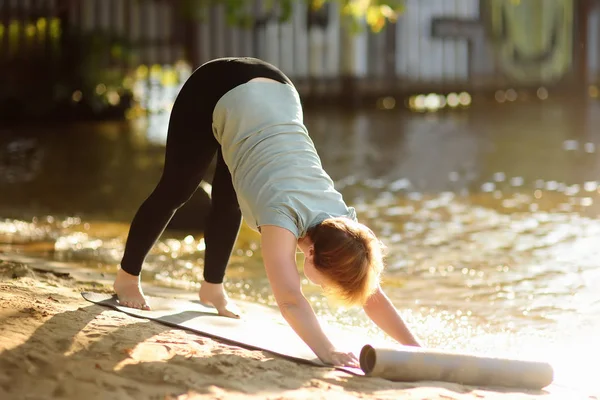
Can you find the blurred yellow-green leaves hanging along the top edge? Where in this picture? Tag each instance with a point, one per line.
(243, 13)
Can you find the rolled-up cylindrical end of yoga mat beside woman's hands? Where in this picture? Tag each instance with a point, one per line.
(415, 364)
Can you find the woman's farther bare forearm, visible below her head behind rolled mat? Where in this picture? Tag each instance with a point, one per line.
(381, 311)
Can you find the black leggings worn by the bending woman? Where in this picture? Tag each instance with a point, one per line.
(191, 147)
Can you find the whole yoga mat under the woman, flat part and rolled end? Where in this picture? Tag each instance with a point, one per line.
(263, 329)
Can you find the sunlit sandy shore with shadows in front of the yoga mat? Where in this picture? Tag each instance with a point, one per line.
(54, 344)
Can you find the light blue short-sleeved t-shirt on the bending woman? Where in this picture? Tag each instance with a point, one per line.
(276, 171)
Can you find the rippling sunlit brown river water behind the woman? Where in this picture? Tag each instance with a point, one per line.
(490, 217)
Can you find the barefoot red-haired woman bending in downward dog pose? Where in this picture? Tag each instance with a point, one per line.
(249, 114)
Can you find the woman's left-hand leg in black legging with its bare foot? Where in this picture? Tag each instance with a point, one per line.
(190, 148)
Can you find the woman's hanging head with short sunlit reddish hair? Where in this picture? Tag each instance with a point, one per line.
(345, 258)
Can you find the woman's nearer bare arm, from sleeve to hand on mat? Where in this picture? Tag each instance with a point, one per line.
(279, 256)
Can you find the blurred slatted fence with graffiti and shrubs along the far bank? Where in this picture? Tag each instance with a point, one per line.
(60, 50)
